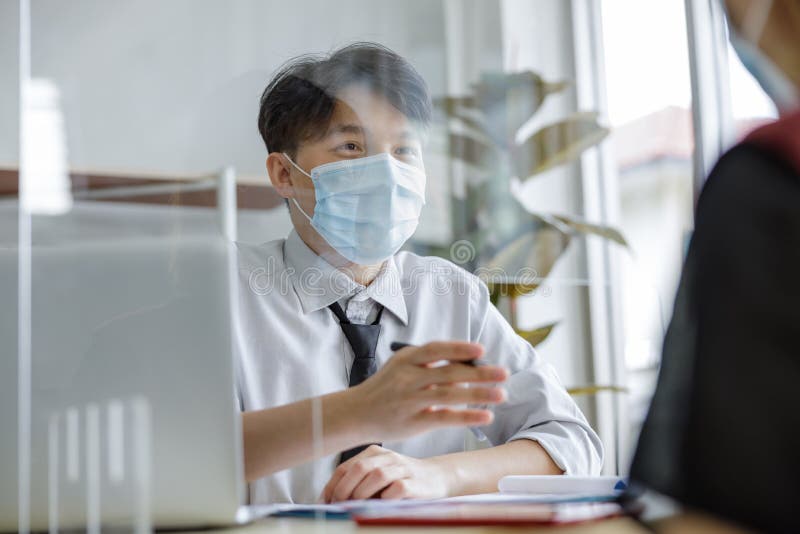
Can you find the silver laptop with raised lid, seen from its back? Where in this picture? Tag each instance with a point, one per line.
(133, 414)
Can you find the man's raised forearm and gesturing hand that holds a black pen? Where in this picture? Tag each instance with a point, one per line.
(393, 404)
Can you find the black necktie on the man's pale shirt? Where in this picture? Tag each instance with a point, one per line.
(363, 339)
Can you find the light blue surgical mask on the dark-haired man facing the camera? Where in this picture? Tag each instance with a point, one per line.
(366, 208)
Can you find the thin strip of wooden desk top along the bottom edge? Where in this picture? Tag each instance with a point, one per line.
(308, 526)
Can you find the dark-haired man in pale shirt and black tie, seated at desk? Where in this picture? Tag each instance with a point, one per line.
(320, 386)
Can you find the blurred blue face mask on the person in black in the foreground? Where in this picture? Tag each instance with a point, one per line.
(774, 82)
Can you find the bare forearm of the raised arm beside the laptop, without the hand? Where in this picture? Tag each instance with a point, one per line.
(282, 437)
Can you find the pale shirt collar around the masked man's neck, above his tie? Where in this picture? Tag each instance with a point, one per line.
(318, 284)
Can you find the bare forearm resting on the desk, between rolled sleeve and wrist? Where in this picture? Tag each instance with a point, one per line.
(479, 471)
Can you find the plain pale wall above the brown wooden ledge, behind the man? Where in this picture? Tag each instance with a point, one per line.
(173, 87)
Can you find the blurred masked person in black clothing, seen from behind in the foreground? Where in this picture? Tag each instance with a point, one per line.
(723, 432)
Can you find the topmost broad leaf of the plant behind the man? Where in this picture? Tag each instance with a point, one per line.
(509, 100)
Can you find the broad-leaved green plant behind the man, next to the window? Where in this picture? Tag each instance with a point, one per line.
(514, 249)
